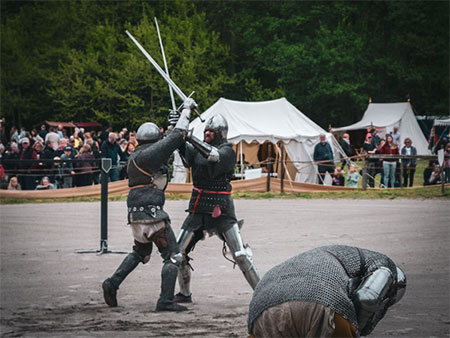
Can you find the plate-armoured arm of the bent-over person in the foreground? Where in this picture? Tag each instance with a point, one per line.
(371, 299)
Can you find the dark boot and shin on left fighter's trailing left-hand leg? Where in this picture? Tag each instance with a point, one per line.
(111, 285)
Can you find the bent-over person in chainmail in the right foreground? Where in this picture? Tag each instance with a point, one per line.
(330, 291)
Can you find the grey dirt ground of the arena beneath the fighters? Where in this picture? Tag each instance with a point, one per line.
(49, 290)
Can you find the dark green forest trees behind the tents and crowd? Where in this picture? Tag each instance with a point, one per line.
(72, 61)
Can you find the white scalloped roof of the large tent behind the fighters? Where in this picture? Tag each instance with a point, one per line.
(273, 120)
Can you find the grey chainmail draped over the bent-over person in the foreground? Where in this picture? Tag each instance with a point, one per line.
(317, 276)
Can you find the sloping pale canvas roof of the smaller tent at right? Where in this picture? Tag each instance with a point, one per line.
(380, 115)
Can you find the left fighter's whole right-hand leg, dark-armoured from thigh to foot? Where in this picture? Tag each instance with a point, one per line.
(168, 247)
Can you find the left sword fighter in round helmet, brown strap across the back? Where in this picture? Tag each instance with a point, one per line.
(147, 172)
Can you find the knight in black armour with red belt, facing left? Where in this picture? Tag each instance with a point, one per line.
(211, 207)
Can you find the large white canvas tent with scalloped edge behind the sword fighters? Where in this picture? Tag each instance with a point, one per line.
(251, 124)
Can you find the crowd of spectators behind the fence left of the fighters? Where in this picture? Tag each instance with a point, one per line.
(50, 152)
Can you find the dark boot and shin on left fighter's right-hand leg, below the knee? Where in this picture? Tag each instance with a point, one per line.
(166, 302)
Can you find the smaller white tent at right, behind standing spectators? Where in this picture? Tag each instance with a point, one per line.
(386, 116)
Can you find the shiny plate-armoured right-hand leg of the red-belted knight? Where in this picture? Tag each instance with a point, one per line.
(242, 255)
